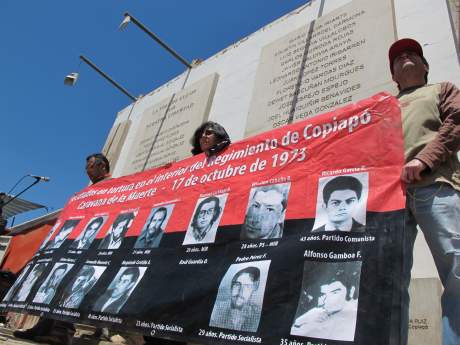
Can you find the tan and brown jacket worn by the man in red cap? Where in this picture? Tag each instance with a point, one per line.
(431, 125)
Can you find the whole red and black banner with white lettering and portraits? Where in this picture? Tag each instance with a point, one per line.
(288, 237)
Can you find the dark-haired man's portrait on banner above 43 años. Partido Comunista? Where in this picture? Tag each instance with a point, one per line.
(341, 203)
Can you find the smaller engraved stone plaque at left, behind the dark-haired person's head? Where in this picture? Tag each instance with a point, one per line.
(162, 134)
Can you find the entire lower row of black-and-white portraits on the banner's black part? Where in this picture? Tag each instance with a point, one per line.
(327, 307)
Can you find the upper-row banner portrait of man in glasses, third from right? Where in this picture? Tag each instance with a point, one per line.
(205, 220)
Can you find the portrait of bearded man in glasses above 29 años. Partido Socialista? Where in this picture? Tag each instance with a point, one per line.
(240, 297)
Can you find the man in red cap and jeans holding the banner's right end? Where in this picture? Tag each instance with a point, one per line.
(431, 125)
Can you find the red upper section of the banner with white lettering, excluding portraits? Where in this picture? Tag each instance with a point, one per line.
(364, 138)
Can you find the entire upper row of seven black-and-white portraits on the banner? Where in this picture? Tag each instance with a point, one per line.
(341, 206)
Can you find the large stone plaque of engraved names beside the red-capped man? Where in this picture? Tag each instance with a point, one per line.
(330, 62)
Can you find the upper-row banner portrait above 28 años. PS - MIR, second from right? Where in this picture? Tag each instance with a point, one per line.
(266, 212)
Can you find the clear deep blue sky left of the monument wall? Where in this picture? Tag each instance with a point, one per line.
(48, 128)
